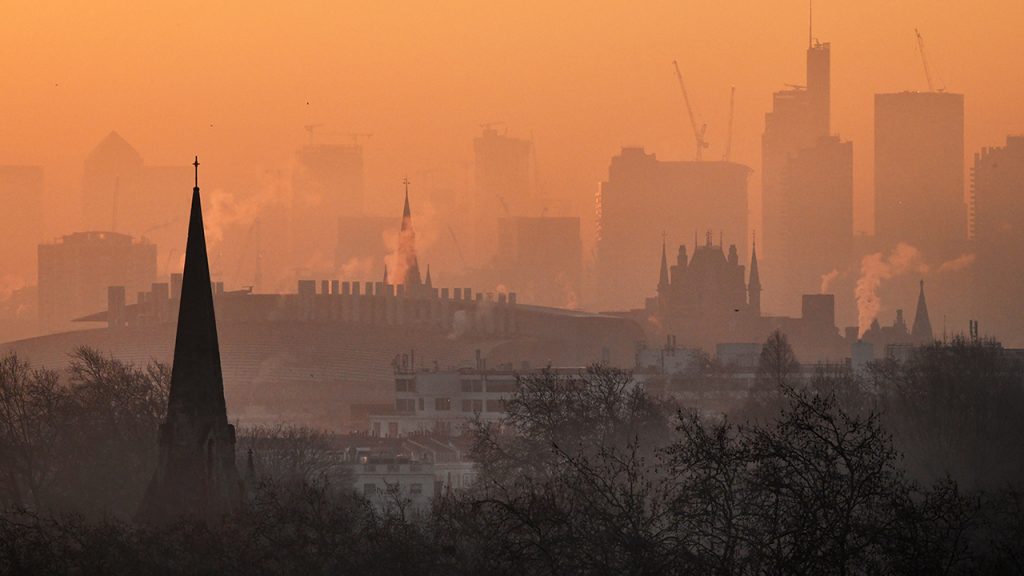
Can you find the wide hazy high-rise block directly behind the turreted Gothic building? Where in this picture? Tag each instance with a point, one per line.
(645, 198)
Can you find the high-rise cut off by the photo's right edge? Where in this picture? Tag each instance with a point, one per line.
(998, 195)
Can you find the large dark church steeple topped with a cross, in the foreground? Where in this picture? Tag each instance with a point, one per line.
(196, 475)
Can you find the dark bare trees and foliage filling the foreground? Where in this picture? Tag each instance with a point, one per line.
(595, 477)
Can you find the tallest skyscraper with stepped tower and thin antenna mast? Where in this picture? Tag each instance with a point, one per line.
(807, 187)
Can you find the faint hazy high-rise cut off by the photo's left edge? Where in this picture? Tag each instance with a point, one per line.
(21, 194)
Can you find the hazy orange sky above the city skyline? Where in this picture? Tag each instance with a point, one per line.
(231, 81)
